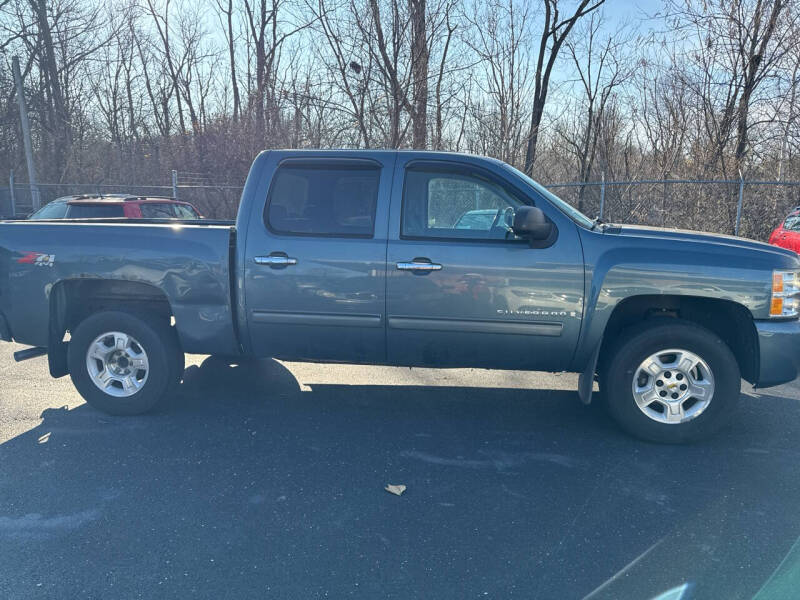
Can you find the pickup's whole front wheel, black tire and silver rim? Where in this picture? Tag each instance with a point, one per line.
(670, 381)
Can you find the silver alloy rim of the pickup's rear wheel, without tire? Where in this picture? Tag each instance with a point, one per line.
(117, 364)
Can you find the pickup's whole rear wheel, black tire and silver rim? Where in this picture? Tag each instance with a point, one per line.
(124, 363)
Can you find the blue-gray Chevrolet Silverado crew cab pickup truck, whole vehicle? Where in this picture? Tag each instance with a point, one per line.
(408, 258)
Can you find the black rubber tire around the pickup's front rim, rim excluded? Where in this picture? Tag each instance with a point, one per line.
(636, 344)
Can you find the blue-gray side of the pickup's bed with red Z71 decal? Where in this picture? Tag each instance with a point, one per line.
(188, 262)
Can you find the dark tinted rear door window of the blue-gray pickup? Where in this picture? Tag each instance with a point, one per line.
(336, 199)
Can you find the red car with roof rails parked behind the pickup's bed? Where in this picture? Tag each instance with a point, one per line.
(106, 207)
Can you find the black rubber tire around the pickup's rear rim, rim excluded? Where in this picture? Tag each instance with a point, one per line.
(156, 338)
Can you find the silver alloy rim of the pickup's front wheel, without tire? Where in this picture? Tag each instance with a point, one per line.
(673, 386)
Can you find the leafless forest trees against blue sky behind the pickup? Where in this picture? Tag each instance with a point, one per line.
(123, 91)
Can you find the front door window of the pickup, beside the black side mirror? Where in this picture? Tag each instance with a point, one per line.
(439, 204)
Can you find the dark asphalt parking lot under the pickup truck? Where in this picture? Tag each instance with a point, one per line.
(265, 480)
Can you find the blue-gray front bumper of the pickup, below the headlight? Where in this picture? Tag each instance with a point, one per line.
(779, 352)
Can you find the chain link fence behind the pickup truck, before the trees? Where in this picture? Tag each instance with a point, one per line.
(748, 208)
